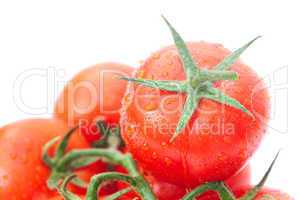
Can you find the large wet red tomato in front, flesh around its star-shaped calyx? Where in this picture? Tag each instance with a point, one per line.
(217, 140)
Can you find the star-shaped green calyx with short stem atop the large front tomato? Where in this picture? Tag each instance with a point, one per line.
(199, 82)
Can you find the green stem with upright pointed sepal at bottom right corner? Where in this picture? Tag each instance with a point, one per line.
(225, 193)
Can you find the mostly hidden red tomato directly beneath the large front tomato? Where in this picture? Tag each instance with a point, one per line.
(167, 191)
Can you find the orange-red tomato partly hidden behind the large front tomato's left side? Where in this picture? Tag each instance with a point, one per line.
(93, 94)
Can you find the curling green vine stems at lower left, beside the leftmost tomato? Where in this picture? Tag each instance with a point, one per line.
(63, 166)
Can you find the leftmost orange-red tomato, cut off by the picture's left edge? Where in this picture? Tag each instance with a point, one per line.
(23, 174)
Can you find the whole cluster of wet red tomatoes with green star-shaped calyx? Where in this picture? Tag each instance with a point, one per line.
(184, 117)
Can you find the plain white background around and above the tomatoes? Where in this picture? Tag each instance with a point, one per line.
(71, 35)
